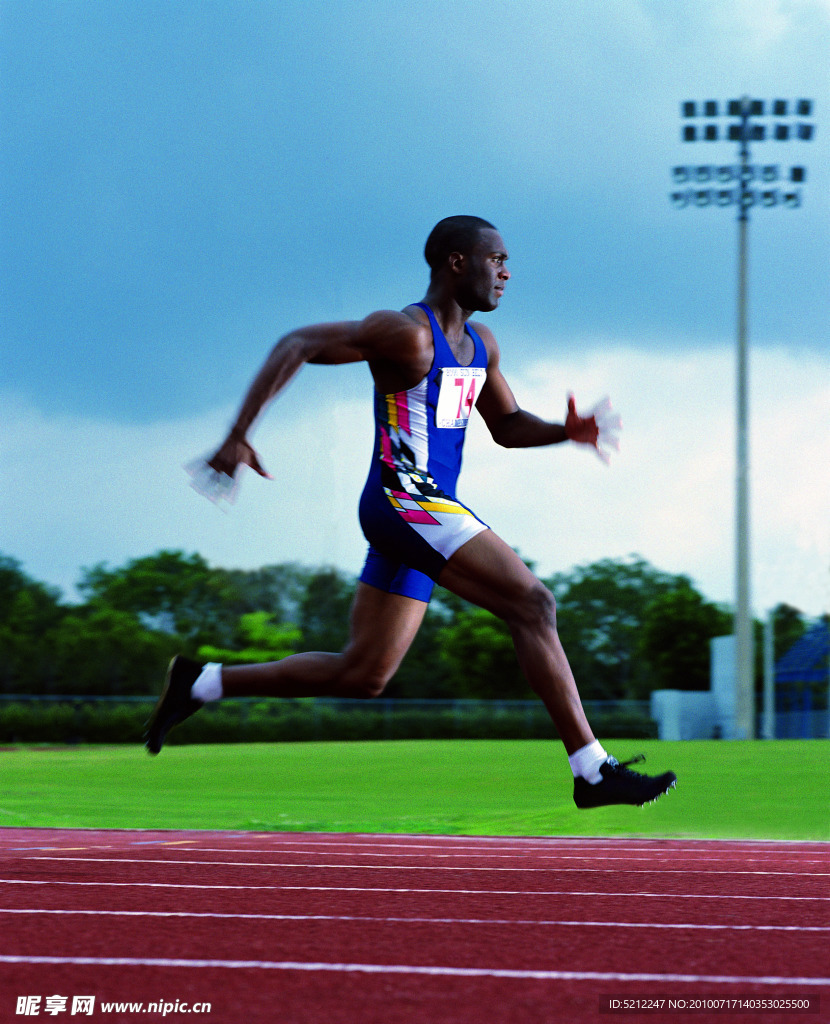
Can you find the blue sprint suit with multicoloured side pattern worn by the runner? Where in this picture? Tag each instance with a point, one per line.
(409, 510)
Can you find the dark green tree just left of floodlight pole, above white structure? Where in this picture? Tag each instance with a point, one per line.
(675, 638)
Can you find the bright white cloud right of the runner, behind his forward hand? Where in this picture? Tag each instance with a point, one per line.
(670, 494)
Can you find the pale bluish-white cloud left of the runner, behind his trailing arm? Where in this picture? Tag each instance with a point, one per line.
(79, 490)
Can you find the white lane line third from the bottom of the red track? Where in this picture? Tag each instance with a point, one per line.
(376, 889)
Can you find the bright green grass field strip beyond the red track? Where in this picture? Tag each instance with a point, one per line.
(770, 790)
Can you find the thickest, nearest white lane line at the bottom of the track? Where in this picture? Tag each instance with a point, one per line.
(454, 972)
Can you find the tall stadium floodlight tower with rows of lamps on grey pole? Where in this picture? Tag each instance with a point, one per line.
(746, 186)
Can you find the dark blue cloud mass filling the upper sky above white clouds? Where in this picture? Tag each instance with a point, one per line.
(184, 182)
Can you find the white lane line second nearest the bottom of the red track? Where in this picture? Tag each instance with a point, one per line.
(419, 921)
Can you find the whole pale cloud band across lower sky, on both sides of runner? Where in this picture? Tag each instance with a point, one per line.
(82, 491)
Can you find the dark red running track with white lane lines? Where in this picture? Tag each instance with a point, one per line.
(343, 929)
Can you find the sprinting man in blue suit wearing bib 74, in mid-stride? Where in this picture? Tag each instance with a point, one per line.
(430, 367)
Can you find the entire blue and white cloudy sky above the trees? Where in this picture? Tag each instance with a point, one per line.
(183, 183)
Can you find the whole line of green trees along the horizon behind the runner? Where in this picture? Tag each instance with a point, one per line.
(628, 628)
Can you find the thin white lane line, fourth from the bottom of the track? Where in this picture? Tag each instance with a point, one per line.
(425, 868)
